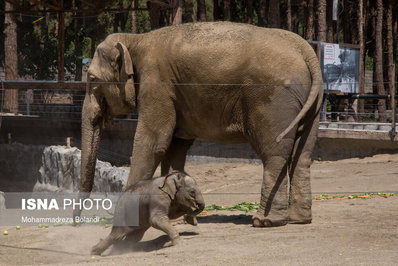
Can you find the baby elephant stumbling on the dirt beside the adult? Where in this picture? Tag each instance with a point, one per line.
(160, 200)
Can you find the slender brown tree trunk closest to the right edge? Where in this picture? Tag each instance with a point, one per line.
(390, 64)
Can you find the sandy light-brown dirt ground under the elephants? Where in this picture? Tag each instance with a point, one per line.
(343, 231)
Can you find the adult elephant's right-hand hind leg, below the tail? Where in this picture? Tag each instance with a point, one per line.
(300, 196)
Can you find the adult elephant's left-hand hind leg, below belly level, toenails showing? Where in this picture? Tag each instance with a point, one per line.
(274, 198)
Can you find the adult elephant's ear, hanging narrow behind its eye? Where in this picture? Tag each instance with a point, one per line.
(126, 73)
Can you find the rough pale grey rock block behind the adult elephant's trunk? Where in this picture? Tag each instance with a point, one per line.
(60, 171)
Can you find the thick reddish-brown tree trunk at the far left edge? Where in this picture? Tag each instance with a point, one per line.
(11, 59)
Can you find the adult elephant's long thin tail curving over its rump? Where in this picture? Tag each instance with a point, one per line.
(316, 91)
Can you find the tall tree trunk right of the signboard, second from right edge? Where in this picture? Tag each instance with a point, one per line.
(378, 61)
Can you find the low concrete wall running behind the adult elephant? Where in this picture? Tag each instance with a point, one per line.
(335, 140)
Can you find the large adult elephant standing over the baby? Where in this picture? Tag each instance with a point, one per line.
(220, 82)
